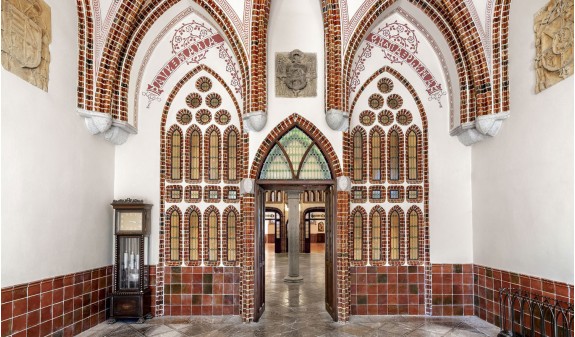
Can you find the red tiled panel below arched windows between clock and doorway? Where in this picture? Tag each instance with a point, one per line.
(201, 291)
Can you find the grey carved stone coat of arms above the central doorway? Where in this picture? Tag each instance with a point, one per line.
(296, 74)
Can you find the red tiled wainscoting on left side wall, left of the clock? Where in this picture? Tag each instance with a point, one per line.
(66, 305)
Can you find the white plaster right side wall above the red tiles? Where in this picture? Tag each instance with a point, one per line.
(523, 178)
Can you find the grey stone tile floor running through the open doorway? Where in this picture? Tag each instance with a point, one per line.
(297, 310)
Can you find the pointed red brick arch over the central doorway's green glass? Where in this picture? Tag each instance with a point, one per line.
(310, 129)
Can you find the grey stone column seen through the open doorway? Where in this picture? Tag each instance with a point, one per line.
(293, 237)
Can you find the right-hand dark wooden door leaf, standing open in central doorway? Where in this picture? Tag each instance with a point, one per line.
(330, 252)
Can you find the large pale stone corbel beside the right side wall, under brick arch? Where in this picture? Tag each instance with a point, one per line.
(482, 128)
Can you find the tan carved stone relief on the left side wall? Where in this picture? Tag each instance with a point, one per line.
(26, 35)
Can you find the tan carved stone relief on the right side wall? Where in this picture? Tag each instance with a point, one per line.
(554, 43)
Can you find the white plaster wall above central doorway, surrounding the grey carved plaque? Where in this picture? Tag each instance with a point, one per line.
(296, 24)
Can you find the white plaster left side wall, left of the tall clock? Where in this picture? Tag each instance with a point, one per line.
(57, 179)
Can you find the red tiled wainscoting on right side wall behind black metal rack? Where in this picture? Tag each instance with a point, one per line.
(488, 281)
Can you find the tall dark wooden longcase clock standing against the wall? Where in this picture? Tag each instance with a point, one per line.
(131, 295)
